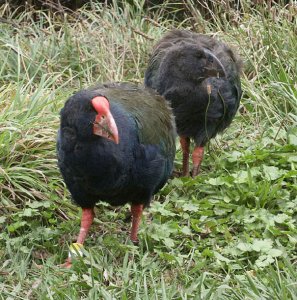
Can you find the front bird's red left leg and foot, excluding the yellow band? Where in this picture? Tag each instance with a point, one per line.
(85, 224)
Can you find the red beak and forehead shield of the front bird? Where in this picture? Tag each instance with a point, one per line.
(104, 124)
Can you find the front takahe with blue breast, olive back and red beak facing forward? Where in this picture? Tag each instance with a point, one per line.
(116, 143)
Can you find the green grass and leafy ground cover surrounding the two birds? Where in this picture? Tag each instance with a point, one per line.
(230, 233)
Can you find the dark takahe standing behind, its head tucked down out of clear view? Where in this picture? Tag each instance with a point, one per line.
(200, 77)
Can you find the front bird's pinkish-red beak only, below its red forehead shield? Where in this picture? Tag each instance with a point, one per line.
(106, 127)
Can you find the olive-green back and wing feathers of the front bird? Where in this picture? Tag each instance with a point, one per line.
(150, 111)
